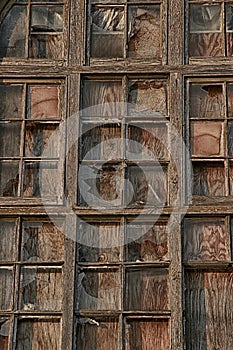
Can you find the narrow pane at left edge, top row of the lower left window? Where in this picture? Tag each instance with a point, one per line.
(7, 240)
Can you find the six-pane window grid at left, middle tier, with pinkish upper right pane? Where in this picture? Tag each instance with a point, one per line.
(30, 152)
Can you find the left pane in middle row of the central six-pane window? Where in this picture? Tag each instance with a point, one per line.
(101, 142)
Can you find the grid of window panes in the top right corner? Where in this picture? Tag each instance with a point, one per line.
(210, 29)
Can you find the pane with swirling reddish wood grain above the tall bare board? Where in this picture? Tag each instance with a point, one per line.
(205, 240)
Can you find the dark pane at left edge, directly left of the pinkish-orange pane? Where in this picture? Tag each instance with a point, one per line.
(11, 97)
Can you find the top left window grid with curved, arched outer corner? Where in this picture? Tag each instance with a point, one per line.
(33, 29)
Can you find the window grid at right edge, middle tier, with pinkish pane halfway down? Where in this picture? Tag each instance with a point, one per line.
(210, 137)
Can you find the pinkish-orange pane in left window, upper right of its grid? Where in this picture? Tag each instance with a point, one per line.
(44, 102)
